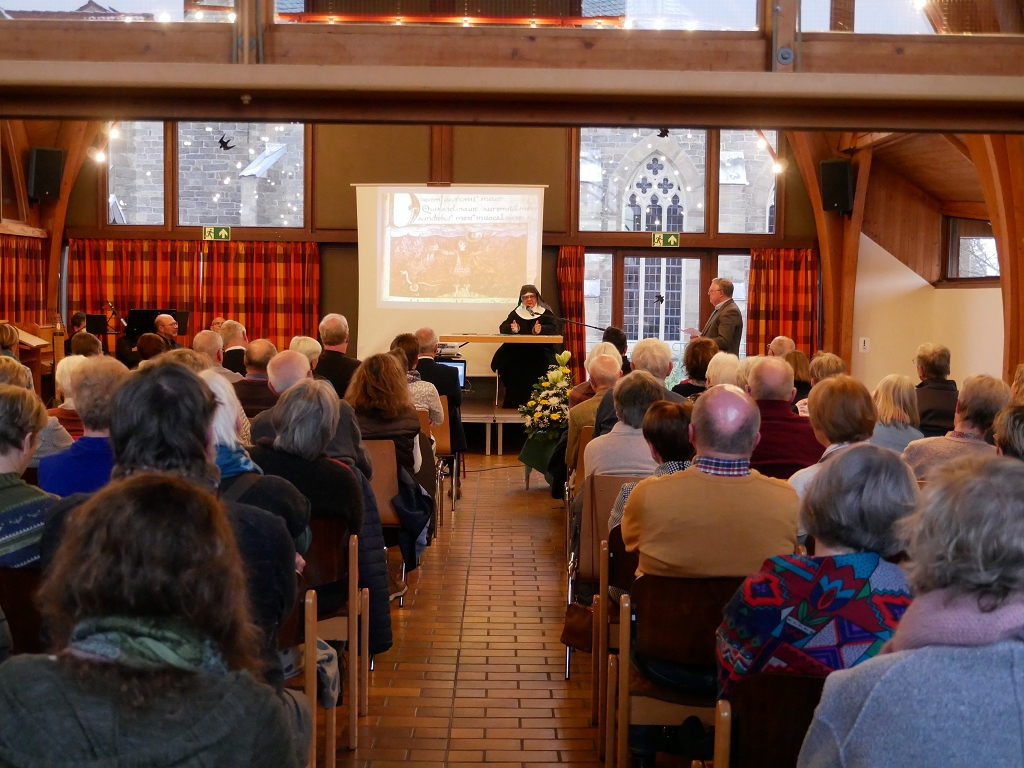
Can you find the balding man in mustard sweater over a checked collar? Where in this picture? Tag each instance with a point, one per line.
(718, 518)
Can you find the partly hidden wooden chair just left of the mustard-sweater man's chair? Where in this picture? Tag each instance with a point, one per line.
(618, 569)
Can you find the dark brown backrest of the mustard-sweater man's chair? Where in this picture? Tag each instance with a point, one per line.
(676, 619)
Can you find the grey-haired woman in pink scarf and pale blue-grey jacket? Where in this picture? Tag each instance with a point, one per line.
(947, 689)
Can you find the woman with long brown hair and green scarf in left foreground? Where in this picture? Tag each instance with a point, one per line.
(158, 662)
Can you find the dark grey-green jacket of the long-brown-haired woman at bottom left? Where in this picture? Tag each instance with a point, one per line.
(48, 719)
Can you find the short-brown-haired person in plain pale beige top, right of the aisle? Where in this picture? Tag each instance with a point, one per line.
(624, 451)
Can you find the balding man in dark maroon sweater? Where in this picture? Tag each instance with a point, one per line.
(788, 442)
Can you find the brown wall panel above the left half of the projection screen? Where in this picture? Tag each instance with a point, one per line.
(345, 155)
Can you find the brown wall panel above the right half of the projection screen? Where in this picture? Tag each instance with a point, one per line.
(517, 156)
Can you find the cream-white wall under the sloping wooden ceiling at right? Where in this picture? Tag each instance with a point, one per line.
(897, 310)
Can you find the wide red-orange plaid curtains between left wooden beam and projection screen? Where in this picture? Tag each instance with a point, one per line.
(272, 288)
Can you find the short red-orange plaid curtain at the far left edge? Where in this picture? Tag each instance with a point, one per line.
(23, 279)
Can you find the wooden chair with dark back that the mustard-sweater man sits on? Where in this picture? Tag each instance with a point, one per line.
(675, 621)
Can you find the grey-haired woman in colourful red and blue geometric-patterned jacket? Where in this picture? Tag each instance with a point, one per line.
(851, 509)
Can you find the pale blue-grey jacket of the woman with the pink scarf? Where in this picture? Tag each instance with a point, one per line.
(935, 707)
